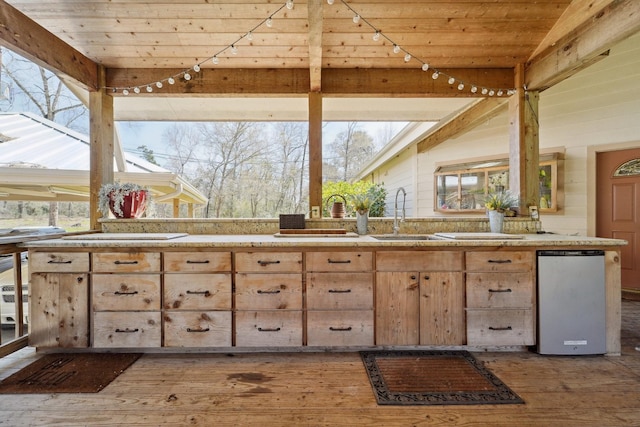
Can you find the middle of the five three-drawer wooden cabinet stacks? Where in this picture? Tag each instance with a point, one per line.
(268, 299)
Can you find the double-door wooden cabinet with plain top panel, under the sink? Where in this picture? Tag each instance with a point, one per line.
(420, 298)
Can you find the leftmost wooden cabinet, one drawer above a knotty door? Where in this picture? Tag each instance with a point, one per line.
(58, 299)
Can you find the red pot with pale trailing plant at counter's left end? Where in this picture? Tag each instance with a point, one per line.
(123, 200)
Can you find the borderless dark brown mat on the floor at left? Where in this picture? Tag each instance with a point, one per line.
(68, 373)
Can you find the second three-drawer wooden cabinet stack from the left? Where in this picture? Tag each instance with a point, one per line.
(197, 295)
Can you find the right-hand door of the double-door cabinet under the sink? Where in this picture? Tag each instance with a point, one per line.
(442, 316)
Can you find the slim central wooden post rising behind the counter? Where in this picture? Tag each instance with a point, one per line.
(315, 150)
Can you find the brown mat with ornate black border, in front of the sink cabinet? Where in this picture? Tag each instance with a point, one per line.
(433, 378)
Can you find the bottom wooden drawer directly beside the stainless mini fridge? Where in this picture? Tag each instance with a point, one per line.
(500, 327)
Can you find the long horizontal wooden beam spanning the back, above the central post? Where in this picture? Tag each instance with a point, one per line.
(335, 82)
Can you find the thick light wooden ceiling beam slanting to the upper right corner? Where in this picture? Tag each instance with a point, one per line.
(584, 45)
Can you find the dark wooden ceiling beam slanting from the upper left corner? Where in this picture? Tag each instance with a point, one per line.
(25, 37)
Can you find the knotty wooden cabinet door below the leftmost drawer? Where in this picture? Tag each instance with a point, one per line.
(58, 312)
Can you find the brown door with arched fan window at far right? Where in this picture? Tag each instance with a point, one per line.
(618, 208)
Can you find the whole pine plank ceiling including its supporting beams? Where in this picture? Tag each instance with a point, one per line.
(313, 46)
